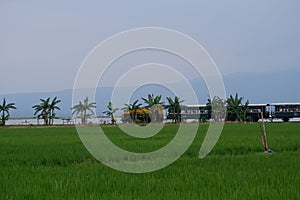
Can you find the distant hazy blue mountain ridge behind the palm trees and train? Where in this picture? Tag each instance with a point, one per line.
(269, 87)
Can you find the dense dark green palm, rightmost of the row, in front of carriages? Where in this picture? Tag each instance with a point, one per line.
(236, 109)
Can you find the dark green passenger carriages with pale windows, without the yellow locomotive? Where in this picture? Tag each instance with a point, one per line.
(283, 111)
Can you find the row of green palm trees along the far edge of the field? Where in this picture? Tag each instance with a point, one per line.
(134, 112)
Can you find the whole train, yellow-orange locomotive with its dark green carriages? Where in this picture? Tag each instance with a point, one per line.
(284, 111)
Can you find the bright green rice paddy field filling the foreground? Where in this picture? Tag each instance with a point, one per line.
(52, 163)
